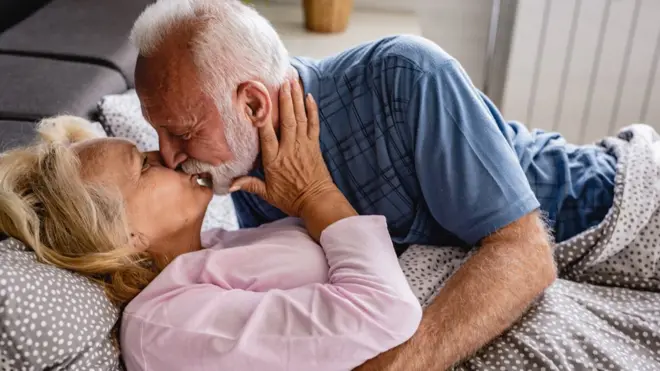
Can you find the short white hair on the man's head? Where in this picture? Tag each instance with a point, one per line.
(231, 43)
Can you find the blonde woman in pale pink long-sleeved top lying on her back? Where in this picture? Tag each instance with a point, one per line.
(322, 291)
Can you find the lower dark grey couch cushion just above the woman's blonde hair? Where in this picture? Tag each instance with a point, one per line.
(33, 88)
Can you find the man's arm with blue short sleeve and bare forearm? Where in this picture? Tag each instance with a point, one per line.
(474, 186)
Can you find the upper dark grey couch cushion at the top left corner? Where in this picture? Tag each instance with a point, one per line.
(95, 31)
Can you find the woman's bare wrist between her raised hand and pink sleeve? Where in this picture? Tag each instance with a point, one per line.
(324, 209)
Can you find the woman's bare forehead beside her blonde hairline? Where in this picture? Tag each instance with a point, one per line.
(106, 159)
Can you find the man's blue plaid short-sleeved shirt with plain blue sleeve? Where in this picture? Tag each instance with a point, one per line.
(405, 134)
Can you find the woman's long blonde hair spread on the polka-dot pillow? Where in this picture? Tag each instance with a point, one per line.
(69, 223)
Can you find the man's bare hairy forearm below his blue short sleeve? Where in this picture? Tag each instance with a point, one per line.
(480, 301)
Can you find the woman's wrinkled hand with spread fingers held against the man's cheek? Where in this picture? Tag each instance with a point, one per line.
(295, 172)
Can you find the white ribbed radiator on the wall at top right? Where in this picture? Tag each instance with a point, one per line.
(584, 68)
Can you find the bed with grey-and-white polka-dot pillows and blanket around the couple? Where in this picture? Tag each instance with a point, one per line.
(582, 322)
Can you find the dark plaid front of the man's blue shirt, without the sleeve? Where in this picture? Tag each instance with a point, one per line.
(366, 146)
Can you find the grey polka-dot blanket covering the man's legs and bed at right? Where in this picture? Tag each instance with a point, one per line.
(604, 311)
